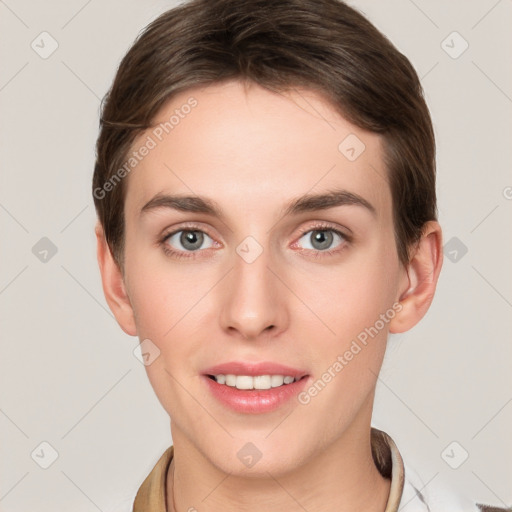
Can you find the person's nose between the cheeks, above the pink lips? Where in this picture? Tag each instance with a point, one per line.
(253, 299)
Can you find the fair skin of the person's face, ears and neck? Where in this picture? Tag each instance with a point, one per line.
(253, 151)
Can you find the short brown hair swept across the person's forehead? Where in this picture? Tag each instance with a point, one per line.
(323, 45)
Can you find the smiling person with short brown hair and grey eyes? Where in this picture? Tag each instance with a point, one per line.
(265, 192)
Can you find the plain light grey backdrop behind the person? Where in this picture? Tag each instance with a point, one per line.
(68, 374)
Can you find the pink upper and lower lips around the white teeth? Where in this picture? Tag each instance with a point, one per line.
(254, 401)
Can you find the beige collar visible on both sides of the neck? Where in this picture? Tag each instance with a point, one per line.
(151, 496)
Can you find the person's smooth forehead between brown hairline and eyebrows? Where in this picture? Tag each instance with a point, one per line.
(249, 147)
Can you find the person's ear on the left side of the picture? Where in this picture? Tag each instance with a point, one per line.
(113, 285)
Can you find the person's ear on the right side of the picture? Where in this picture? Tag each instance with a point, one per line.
(420, 279)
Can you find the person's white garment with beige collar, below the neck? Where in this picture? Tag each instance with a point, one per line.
(407, 492)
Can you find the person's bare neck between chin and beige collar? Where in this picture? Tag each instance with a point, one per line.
(341, 476)
